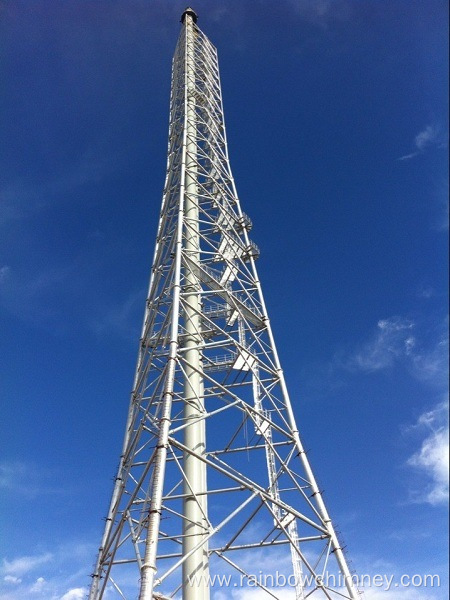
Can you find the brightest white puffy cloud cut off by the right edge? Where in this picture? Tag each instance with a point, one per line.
(432, 458)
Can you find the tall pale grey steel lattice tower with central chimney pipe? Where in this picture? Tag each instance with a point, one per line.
(213, 477)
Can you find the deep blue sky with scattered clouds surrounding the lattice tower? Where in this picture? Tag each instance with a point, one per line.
(336, 113)
